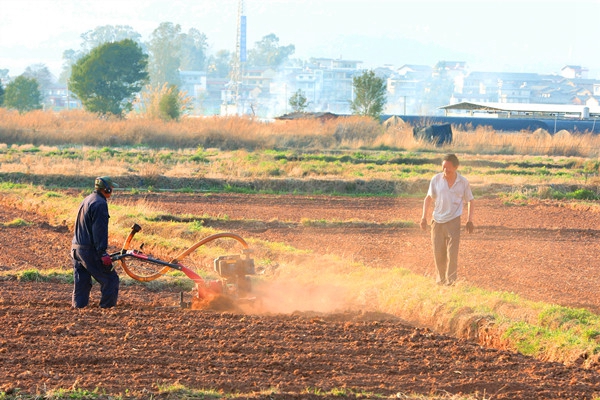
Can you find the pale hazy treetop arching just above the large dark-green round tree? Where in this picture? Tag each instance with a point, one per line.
(94, 38)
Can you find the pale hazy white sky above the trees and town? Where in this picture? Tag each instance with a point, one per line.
(489, 35)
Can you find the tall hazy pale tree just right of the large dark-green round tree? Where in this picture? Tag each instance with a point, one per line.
(165, 50)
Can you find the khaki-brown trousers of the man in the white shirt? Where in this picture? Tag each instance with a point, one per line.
(445, 239)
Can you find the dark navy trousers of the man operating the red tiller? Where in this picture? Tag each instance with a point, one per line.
(87, 264)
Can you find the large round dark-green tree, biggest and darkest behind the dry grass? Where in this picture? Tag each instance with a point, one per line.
(107, 79)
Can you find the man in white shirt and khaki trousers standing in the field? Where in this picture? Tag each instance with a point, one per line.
(449, 191)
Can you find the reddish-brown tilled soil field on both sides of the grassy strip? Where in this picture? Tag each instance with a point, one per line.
(543, 251)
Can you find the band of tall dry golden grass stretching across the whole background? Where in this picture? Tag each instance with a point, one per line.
(78, 127)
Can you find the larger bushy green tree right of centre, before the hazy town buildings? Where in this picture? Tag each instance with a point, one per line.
(369, 94)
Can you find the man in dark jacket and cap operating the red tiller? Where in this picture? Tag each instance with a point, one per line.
(88, 249)
